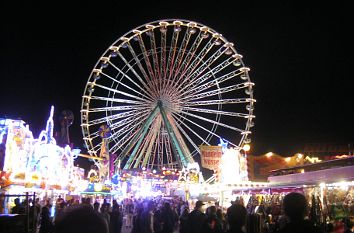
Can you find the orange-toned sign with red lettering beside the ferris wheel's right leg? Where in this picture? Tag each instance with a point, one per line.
(210, 156)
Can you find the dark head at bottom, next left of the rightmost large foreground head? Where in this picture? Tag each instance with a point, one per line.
(236, 216)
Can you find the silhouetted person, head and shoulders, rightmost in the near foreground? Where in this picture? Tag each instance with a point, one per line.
(295, 208)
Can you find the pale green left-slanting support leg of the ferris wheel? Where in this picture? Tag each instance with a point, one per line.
(142, 132)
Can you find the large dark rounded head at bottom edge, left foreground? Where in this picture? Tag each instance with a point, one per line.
(80, 219)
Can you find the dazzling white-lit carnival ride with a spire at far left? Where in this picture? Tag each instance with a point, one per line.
(35, 164)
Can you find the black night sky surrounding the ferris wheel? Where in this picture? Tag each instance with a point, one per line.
(301, 61)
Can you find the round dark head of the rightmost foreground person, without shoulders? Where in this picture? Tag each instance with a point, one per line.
(295, 206)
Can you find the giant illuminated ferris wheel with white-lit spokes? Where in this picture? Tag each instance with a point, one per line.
(163, 89)
